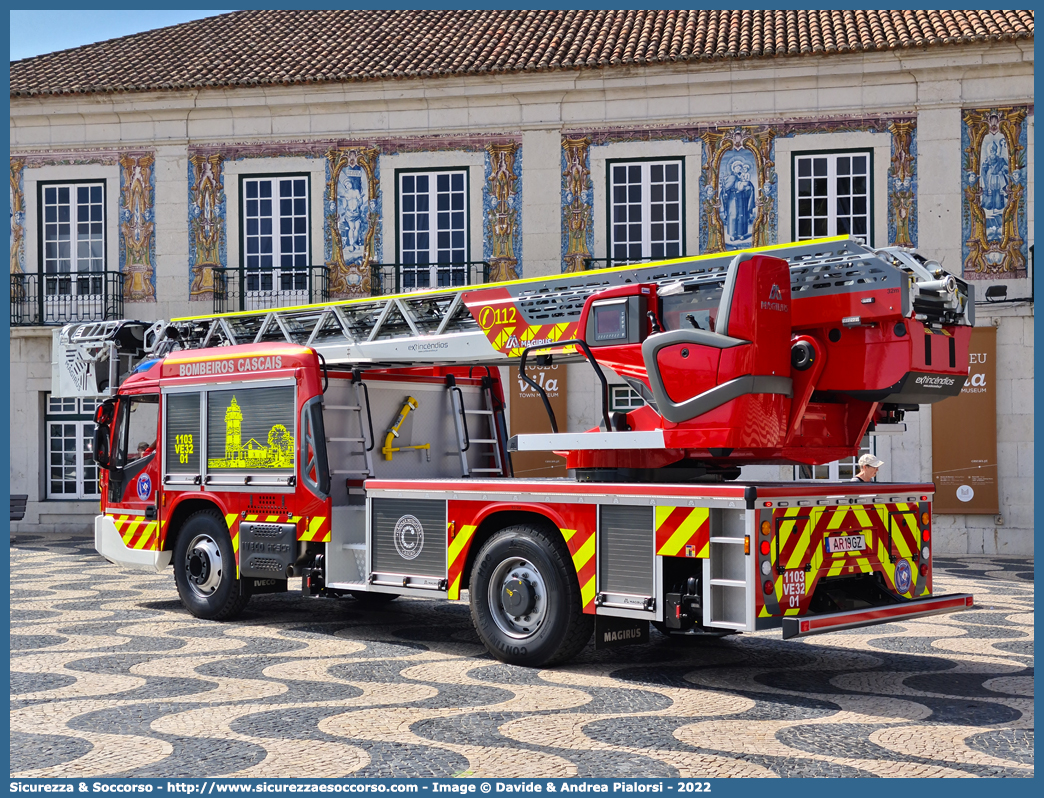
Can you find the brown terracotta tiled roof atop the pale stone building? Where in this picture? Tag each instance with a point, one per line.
(278, 48)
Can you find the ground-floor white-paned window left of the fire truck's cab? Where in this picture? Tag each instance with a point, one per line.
(72, 472)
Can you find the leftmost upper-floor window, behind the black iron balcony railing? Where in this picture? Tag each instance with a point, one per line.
(74, 257)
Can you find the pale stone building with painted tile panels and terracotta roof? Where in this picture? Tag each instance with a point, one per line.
(212, 168)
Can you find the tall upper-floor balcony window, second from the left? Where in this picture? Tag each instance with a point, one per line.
(276, 227)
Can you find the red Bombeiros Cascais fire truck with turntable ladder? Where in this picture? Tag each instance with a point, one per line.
(361, 449)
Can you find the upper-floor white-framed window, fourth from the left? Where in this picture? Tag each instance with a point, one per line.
(646, 210)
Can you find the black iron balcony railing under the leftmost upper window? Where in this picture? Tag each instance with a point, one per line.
(57, 299)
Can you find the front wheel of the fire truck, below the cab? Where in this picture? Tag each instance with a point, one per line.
(205, 569)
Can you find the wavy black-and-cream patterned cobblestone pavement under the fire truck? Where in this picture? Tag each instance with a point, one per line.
(111, 677)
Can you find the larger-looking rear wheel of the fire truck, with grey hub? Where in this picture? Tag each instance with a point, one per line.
(551, 626)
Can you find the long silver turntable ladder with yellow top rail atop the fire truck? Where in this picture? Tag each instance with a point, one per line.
(438, 327)
